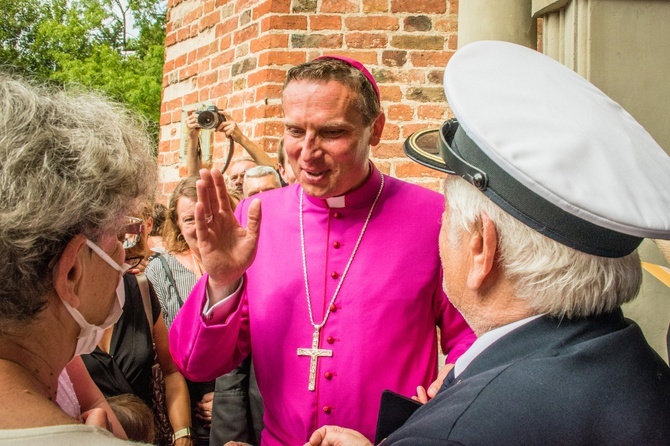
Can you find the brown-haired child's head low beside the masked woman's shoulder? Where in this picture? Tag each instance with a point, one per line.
(135, 417)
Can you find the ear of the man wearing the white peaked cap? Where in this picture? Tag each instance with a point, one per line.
(483, 246)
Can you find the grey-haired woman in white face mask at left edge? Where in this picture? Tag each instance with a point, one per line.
(71, 167)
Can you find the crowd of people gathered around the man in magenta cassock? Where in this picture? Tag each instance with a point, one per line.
(303, 300)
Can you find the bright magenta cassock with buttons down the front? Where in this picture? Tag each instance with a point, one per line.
(381, 329)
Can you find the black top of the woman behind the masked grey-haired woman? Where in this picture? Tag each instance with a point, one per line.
(127, 367)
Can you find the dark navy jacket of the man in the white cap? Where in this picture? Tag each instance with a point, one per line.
(592, 381)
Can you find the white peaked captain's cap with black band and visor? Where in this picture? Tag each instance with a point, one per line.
(550, 149)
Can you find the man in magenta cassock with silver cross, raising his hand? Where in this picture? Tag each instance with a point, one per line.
(352, 290)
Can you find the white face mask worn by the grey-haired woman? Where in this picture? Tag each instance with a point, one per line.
(90, 335)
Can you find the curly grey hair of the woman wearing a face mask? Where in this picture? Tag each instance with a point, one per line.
(70, 163)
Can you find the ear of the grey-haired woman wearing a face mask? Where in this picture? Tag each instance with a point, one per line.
(69, 269)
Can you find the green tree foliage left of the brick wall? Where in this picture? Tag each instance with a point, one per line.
(116, 46)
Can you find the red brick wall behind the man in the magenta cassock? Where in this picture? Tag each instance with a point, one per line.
(236, 53)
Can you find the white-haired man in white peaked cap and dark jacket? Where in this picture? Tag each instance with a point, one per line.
(558, 186)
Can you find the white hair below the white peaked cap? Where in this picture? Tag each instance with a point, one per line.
(551, 277)
